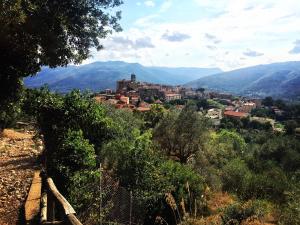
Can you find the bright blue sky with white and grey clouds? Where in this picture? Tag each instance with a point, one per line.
(228, 34)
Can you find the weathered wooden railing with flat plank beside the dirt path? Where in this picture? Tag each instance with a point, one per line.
(48, 206)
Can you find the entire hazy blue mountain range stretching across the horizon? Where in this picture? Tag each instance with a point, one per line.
(277, 79)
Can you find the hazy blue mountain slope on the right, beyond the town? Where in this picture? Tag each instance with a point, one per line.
(277, 79)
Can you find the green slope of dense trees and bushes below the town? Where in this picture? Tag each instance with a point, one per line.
(173, 161)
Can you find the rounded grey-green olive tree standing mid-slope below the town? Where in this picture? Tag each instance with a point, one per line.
(181, 135)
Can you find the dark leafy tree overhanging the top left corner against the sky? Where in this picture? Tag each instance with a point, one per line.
(38, 33)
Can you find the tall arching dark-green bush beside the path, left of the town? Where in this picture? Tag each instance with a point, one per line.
(76, 111)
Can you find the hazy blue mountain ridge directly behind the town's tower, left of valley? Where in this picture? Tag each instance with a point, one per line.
(102, 75)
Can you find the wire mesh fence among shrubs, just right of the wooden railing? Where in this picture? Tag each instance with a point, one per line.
(110, 203)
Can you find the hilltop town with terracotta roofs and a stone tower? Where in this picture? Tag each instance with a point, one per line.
(140, 96)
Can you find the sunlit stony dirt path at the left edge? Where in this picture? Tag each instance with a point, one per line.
(19, 154)
